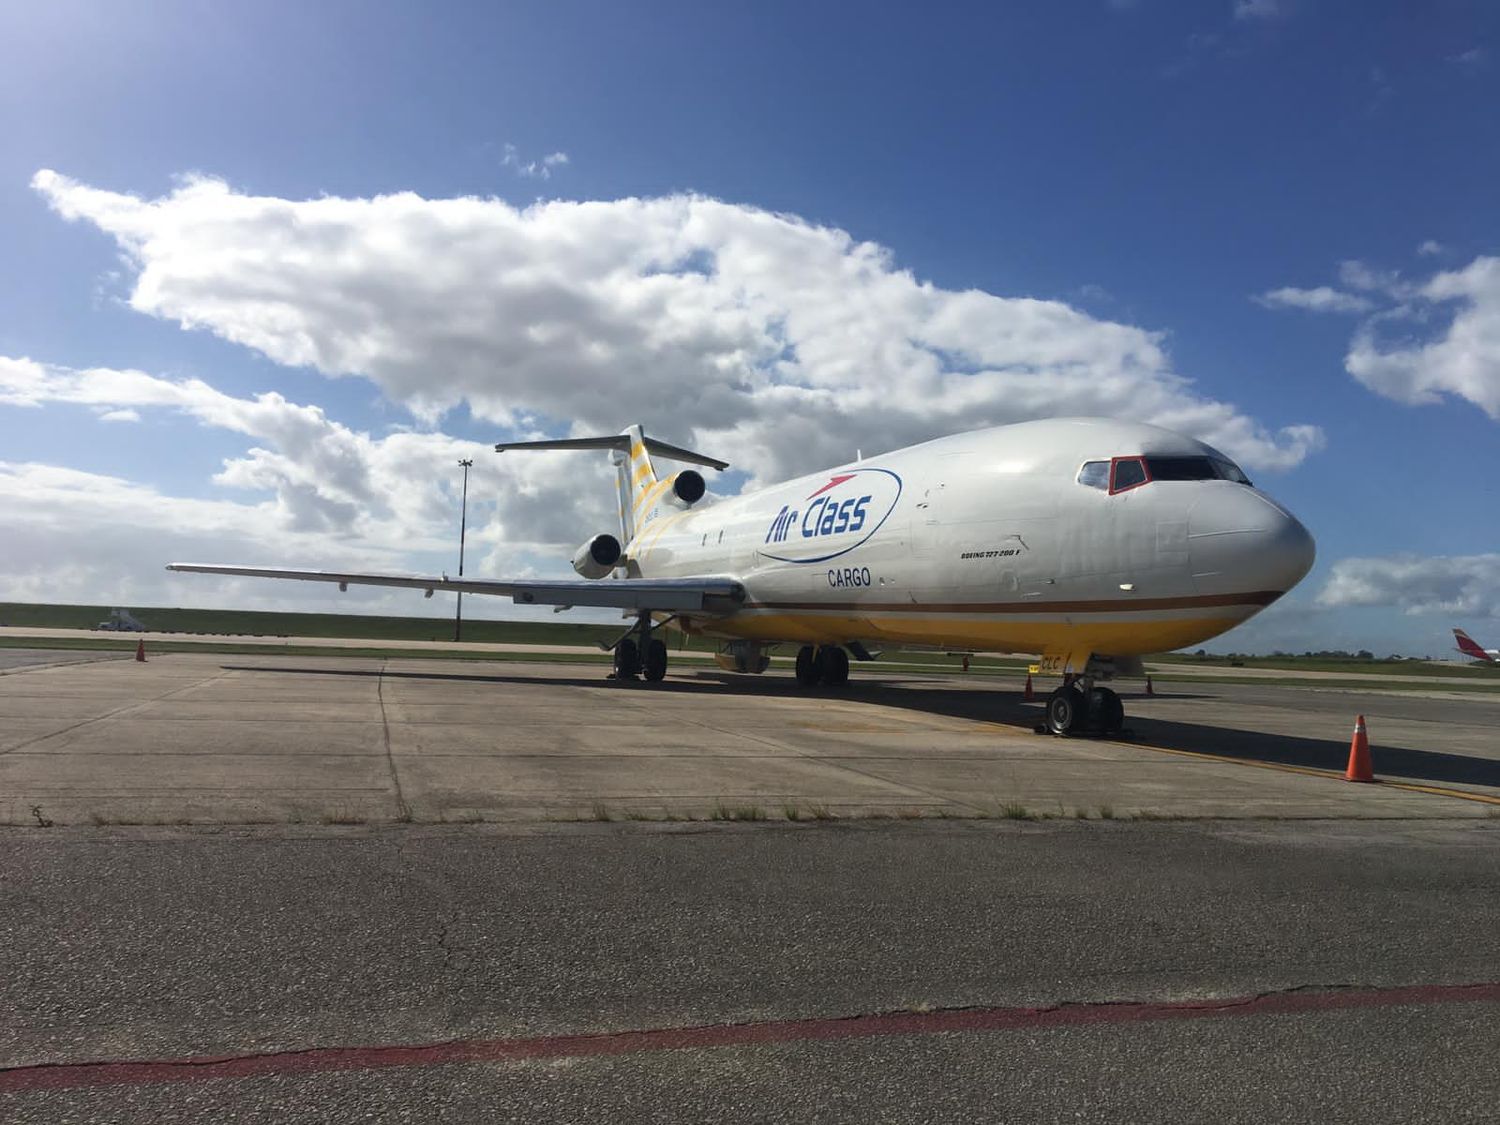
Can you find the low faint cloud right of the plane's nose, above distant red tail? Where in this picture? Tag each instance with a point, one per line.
(1454, 584)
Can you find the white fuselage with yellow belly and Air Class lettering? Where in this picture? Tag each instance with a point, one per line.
(989, 541)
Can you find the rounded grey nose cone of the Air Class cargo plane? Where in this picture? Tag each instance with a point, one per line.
(1246, 542)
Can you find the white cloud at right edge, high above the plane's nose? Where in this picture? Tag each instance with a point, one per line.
(1396, 352)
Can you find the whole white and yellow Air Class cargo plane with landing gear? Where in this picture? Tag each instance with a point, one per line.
(1087, 541)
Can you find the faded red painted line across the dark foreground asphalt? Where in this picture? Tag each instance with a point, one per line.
(326, 1060)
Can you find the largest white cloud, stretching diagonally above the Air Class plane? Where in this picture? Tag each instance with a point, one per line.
(763, 338)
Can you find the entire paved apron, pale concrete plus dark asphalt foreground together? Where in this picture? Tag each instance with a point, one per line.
(322, 947)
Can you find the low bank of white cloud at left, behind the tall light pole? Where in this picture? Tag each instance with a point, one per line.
(310, 493)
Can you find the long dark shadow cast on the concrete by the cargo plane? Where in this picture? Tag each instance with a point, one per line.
(1004, 706)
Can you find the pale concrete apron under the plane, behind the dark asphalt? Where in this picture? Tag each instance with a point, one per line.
(211, 739)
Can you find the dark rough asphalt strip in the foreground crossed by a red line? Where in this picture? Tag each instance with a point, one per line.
(827, 973)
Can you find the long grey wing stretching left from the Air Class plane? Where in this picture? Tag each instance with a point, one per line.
(683, 595)
